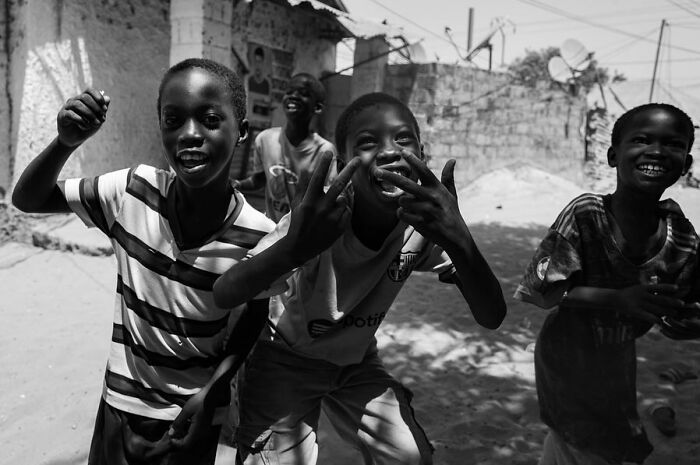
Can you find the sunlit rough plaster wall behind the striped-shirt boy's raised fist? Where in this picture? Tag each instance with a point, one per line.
(59, 47)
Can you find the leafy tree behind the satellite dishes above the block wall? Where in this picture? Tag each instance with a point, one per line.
(532, 69)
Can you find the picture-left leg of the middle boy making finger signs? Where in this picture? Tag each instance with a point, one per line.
(279, 400)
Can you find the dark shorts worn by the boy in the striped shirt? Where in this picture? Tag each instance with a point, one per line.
(122, 438)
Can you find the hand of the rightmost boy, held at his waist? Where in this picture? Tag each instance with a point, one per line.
(650, 302)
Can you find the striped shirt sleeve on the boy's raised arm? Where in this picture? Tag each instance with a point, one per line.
(97, 200)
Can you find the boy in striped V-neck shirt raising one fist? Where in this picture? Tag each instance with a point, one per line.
(173, 232)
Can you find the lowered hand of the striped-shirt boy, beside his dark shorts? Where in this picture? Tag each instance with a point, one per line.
(193, 422)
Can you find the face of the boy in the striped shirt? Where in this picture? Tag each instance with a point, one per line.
(198, 127)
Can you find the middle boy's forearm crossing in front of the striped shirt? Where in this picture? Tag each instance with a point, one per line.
(245, 280)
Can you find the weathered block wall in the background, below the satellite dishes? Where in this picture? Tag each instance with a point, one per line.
(486, 122)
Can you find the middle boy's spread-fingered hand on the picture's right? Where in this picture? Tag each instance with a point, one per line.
(430, 207)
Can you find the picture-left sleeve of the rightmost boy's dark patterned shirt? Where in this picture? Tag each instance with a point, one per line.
(554, 268)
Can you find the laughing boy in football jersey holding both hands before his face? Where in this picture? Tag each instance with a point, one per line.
(349, 264)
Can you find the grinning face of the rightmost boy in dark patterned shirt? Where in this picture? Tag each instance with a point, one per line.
(652, 153)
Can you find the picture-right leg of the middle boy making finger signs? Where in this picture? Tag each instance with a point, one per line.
(372, 410)
